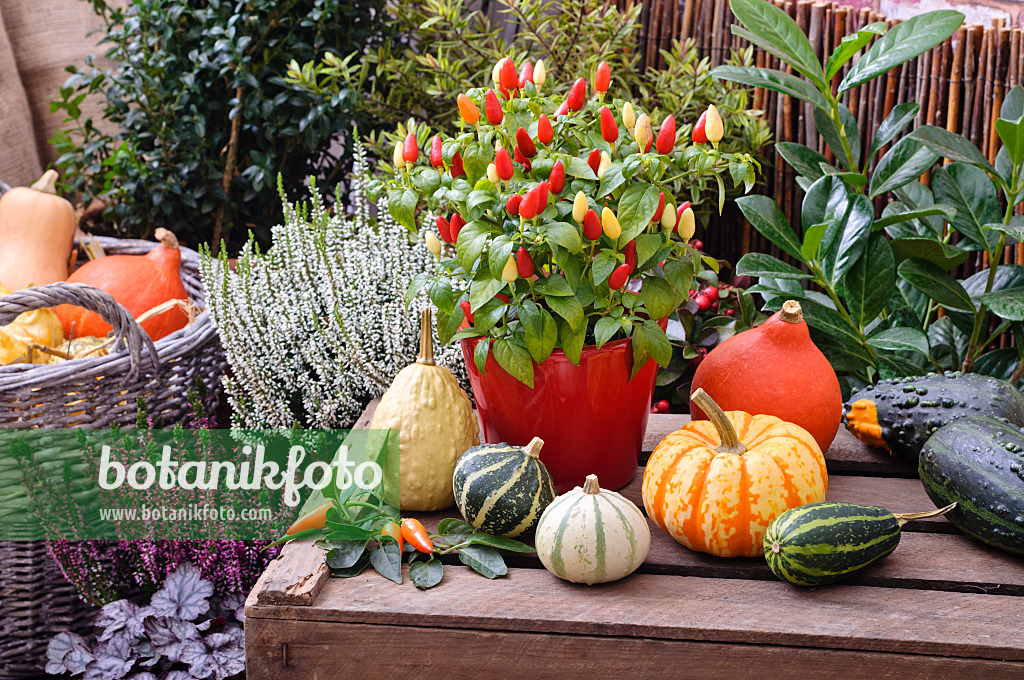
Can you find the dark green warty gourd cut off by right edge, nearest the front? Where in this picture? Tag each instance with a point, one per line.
(979, 464)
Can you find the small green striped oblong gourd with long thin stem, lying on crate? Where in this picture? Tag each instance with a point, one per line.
(822, 543)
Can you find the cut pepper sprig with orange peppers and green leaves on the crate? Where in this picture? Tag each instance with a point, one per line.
(361, 533)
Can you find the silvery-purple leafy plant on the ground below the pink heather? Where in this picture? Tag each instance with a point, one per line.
(180, 635)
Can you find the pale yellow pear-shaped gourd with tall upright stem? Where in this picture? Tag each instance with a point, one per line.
(436, 423)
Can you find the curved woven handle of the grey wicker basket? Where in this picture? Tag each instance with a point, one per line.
(93, 300)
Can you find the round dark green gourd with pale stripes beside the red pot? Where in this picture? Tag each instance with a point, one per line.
(503, 490)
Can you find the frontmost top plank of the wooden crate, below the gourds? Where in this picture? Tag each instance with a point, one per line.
(726, 611)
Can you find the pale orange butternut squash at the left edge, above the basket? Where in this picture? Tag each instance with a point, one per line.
(37, 232)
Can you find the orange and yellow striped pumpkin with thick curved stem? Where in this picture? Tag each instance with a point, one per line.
(715, 487)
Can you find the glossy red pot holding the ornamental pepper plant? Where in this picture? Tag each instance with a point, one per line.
(591, 417)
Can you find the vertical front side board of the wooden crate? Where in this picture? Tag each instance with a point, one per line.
(304, 651)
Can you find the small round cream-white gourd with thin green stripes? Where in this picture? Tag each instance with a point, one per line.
(591, 535)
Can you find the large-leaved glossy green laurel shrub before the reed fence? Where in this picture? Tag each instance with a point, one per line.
(879, 282)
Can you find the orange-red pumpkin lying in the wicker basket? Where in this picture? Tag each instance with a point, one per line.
(140, 283)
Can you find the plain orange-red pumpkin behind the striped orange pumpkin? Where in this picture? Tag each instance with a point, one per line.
(775, 369)
